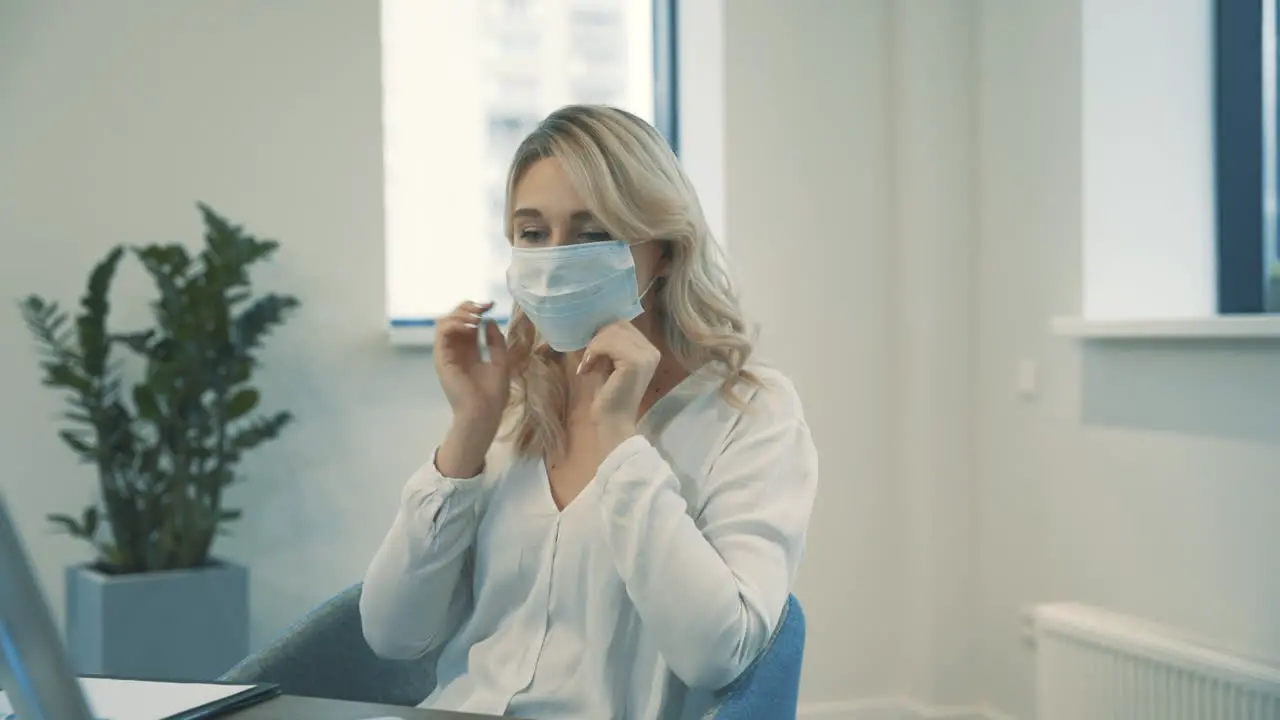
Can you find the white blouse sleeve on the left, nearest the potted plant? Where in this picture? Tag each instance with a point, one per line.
(418, 587)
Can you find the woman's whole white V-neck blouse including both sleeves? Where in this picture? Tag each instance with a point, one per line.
(659, 585)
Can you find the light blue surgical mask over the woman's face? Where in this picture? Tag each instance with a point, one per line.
(573, 291)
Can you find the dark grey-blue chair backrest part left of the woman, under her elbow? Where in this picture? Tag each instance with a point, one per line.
(326, 655)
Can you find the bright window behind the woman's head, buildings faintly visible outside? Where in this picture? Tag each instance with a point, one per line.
(464, 81)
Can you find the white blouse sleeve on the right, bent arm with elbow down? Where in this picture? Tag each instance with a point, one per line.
(712, 591)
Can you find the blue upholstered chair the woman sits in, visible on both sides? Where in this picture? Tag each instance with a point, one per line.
(326, 655)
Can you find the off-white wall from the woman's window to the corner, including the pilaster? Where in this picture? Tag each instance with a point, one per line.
(852, 160)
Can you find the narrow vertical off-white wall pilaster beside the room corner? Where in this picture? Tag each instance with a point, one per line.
(934, 83)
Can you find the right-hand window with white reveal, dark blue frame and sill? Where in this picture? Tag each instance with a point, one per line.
(1178, 117)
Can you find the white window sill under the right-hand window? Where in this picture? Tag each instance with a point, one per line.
(1237, 327)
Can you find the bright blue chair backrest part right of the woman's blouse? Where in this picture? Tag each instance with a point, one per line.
(771, 687)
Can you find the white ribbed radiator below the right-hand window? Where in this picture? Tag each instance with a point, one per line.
(1096, 666)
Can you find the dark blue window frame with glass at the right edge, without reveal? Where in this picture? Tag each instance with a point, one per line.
(1246, 156)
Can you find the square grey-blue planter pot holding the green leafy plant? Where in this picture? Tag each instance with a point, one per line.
(172, 626)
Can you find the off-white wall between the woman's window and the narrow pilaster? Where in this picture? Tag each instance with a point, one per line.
(810, 216)
